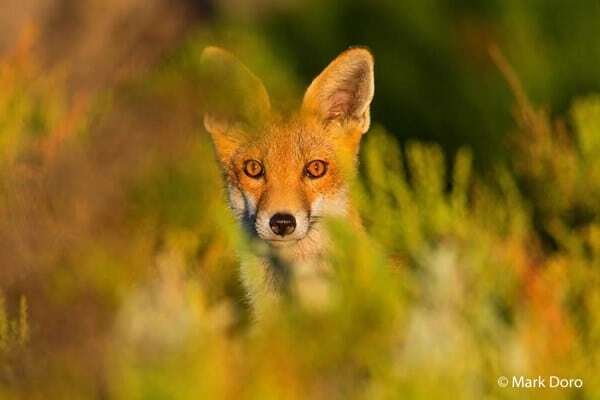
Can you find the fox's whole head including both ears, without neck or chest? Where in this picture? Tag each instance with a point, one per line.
(284, 173)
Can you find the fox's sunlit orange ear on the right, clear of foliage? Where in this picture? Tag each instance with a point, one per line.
(344, 90)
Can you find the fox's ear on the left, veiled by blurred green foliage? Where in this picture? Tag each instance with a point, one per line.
(235, 99)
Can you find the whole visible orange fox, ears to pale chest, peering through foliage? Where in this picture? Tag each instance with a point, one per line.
(285, 173)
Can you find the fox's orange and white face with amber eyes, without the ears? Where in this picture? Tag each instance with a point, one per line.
(285, 180)
